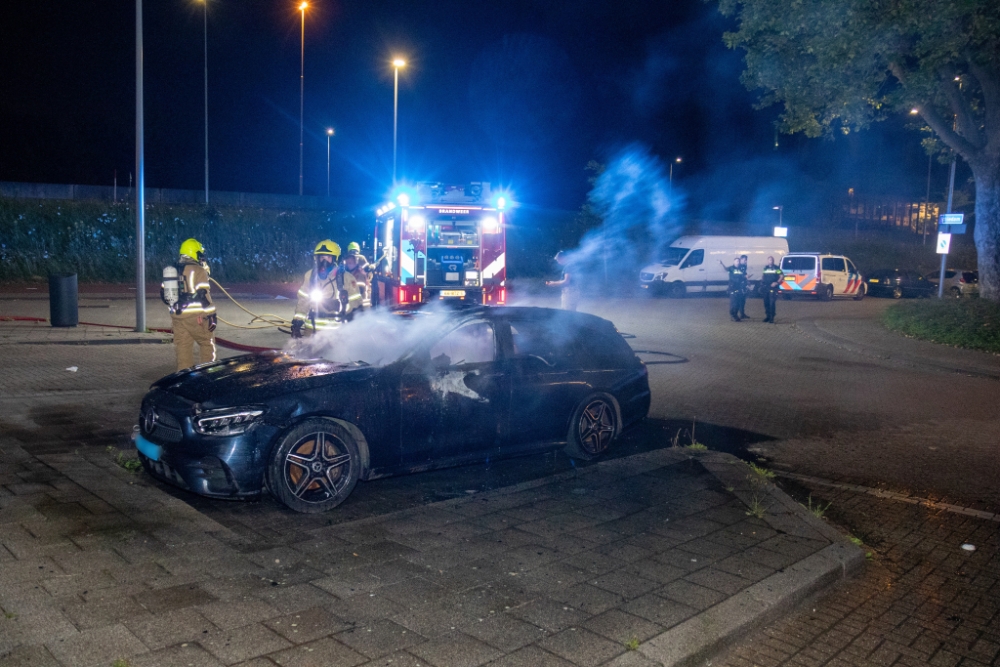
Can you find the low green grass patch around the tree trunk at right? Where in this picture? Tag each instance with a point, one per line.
(970, 323)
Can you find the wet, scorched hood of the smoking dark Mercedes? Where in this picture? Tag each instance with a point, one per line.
(256, 378)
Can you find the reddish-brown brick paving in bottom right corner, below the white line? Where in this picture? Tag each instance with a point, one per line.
(921, 600)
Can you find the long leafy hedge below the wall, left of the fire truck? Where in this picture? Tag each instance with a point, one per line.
(96, 240)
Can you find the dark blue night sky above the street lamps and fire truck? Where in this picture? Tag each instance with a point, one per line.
(517, 92)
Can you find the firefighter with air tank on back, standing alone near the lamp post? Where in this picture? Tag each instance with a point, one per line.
(193, 314)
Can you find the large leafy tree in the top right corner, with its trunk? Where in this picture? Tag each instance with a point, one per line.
(839, 65)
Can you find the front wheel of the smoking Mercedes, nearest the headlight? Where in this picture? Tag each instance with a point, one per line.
(314, 467)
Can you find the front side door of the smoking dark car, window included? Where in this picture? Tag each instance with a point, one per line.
(454, 396)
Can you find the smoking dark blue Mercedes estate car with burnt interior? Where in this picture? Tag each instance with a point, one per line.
(470, 384)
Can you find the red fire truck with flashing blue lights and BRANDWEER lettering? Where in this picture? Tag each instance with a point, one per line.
(440, 241)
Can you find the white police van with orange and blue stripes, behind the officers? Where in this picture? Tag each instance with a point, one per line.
(821, 275)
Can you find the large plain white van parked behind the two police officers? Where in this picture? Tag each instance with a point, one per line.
(696, 264)
